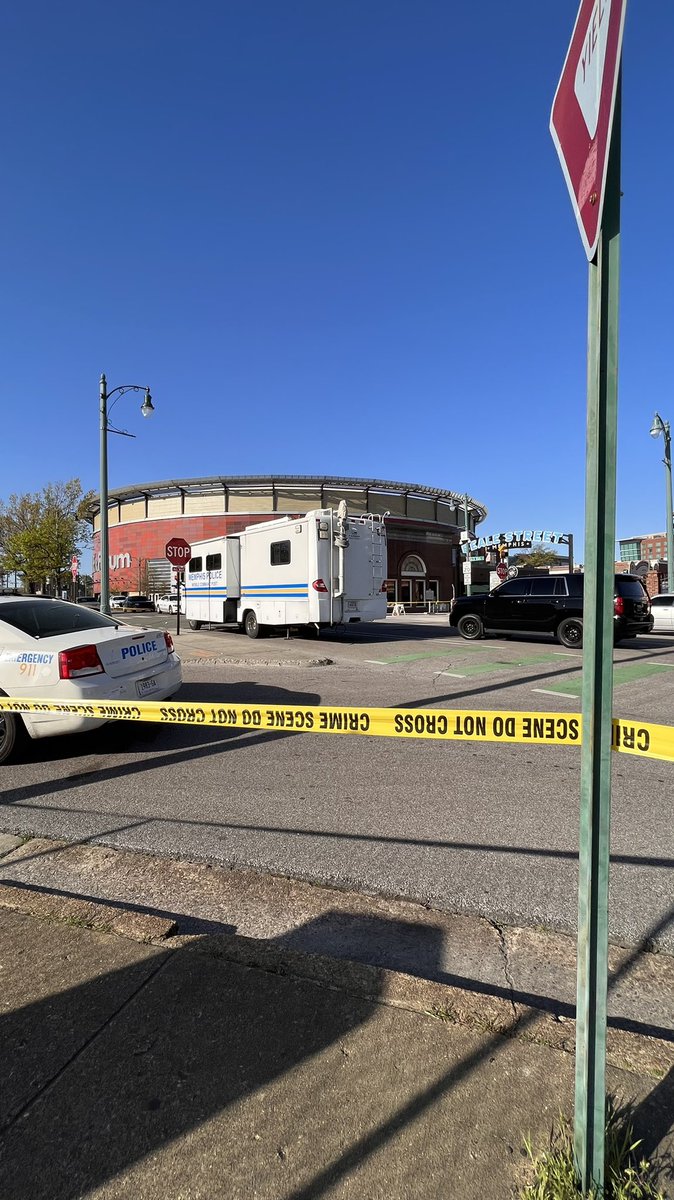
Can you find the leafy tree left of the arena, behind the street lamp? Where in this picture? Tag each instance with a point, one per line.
(41, 532)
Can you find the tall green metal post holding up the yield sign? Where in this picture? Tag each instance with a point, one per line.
(598, 683)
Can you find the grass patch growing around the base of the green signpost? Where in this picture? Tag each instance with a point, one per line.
(629, 1175)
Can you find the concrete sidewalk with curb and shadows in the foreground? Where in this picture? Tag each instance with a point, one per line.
(142, 1063)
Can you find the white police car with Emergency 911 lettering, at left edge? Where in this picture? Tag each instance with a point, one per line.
(62, 651)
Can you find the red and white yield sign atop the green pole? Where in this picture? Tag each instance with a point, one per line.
(582, 115)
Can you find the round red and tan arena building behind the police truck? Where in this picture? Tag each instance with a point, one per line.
(424, 526)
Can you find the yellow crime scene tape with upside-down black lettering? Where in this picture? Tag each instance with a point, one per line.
(639, 739)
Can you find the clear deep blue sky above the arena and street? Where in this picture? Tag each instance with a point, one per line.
(333, 238)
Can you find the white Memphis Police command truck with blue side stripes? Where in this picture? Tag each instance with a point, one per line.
(322, 569)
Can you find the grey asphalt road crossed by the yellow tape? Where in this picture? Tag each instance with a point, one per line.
(489, 830)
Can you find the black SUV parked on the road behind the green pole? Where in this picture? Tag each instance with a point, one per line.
(550, 604)
